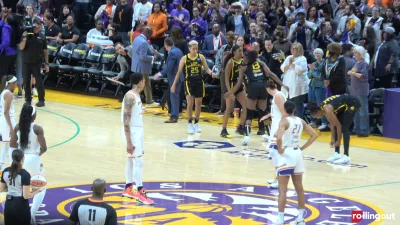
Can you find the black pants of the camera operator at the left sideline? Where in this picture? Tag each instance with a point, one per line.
(29, 69)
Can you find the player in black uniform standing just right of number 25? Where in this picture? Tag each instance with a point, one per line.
(232, 63)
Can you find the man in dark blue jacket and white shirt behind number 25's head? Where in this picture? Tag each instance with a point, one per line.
(213, 42)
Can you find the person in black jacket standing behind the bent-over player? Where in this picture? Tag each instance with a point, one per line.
(334, 74)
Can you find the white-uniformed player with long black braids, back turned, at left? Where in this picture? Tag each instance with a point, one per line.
(29, 137)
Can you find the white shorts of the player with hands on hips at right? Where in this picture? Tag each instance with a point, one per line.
(290, 162)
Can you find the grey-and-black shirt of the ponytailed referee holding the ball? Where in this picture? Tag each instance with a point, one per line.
(15, 186)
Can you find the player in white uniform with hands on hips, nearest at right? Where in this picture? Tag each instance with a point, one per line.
(289, 162)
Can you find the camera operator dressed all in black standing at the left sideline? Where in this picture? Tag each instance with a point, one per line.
(31, 45)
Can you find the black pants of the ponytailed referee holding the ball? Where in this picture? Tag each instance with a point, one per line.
(17, 212)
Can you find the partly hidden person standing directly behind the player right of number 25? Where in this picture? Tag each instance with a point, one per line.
(219, 69)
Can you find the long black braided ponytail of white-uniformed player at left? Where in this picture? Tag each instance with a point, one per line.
(24, 126)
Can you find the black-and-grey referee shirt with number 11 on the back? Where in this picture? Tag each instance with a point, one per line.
(92, 212)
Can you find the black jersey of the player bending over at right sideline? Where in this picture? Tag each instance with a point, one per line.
(341, 103)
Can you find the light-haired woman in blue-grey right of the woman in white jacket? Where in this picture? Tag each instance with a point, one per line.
(316, 92)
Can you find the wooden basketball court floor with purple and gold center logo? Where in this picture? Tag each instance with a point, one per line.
(203, 179)
